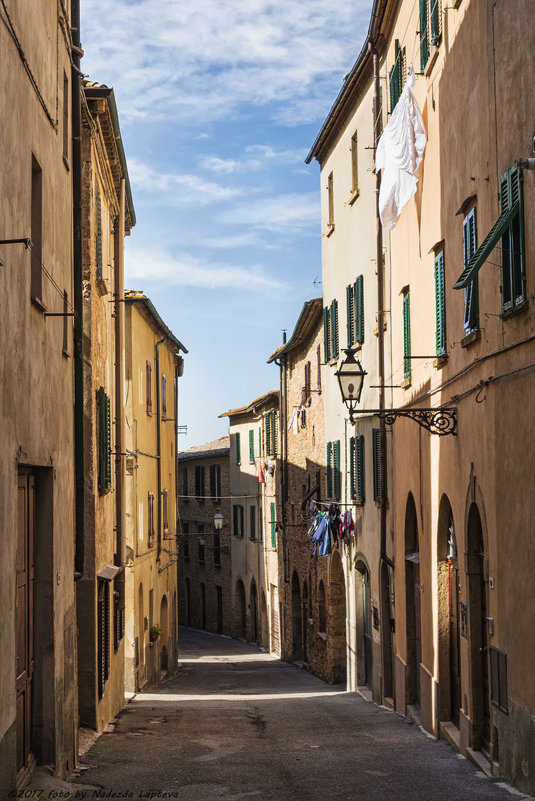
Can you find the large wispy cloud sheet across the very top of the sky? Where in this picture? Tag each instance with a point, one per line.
(203, 60)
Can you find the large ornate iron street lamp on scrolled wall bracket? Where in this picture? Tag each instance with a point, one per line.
(438, 420)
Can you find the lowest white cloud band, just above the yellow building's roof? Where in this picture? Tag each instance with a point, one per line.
(186, 270)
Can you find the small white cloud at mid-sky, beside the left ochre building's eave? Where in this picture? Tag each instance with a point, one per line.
(178, 188)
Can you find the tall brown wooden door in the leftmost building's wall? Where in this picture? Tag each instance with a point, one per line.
(25, 578)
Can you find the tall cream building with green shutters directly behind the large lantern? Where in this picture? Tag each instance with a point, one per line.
(356, 295)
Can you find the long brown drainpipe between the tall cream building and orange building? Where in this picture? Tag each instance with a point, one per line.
(380, 315)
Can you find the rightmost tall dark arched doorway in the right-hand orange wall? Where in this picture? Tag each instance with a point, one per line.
(479, 644)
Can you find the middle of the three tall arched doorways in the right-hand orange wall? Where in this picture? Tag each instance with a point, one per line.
(449, 630)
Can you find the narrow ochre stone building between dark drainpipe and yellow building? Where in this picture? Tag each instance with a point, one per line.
(108, 215)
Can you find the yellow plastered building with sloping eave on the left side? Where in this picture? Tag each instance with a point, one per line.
(153, 366)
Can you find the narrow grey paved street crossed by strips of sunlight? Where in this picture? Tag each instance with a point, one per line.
(237, 723)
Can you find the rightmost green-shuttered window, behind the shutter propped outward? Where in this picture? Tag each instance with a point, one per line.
(513, 257)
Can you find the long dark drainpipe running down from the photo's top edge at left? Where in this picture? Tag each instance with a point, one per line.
(76, 90)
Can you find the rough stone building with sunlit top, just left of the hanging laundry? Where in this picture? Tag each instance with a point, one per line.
(312, 593)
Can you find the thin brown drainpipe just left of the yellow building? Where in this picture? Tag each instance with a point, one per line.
(120, 465)
